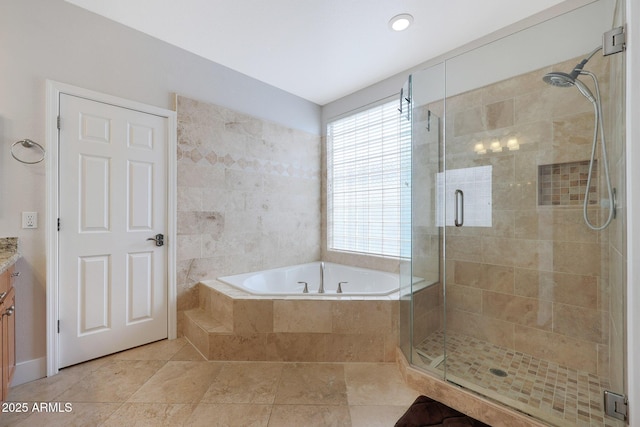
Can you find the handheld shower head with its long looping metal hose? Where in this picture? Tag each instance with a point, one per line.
(559, 79)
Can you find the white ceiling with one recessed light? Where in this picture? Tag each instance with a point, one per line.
(320, 50)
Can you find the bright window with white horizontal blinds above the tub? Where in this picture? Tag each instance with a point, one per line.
(365, 155)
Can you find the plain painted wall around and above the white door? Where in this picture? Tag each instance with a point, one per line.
(53, 39)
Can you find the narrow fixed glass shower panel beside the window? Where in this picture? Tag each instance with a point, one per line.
(422, 301)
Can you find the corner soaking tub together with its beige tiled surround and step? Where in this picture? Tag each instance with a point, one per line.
(266, 315)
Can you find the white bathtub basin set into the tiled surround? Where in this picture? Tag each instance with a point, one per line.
(286, 281)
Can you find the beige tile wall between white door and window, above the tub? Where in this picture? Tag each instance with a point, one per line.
(248, 195)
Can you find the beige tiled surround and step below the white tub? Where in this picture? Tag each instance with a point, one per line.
(231, 324)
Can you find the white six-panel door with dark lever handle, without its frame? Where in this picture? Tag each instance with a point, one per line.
(112, 203)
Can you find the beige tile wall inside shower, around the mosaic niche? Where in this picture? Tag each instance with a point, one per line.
(537, 281)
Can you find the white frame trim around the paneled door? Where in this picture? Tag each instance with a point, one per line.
(54, 90)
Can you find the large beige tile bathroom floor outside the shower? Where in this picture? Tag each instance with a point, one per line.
(169, 383)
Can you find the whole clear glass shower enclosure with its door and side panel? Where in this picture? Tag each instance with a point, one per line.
(506, 291)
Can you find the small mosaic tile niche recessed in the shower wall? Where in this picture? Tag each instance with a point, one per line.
(565, 184)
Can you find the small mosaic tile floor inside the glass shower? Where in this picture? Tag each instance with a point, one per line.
(534, 386)
